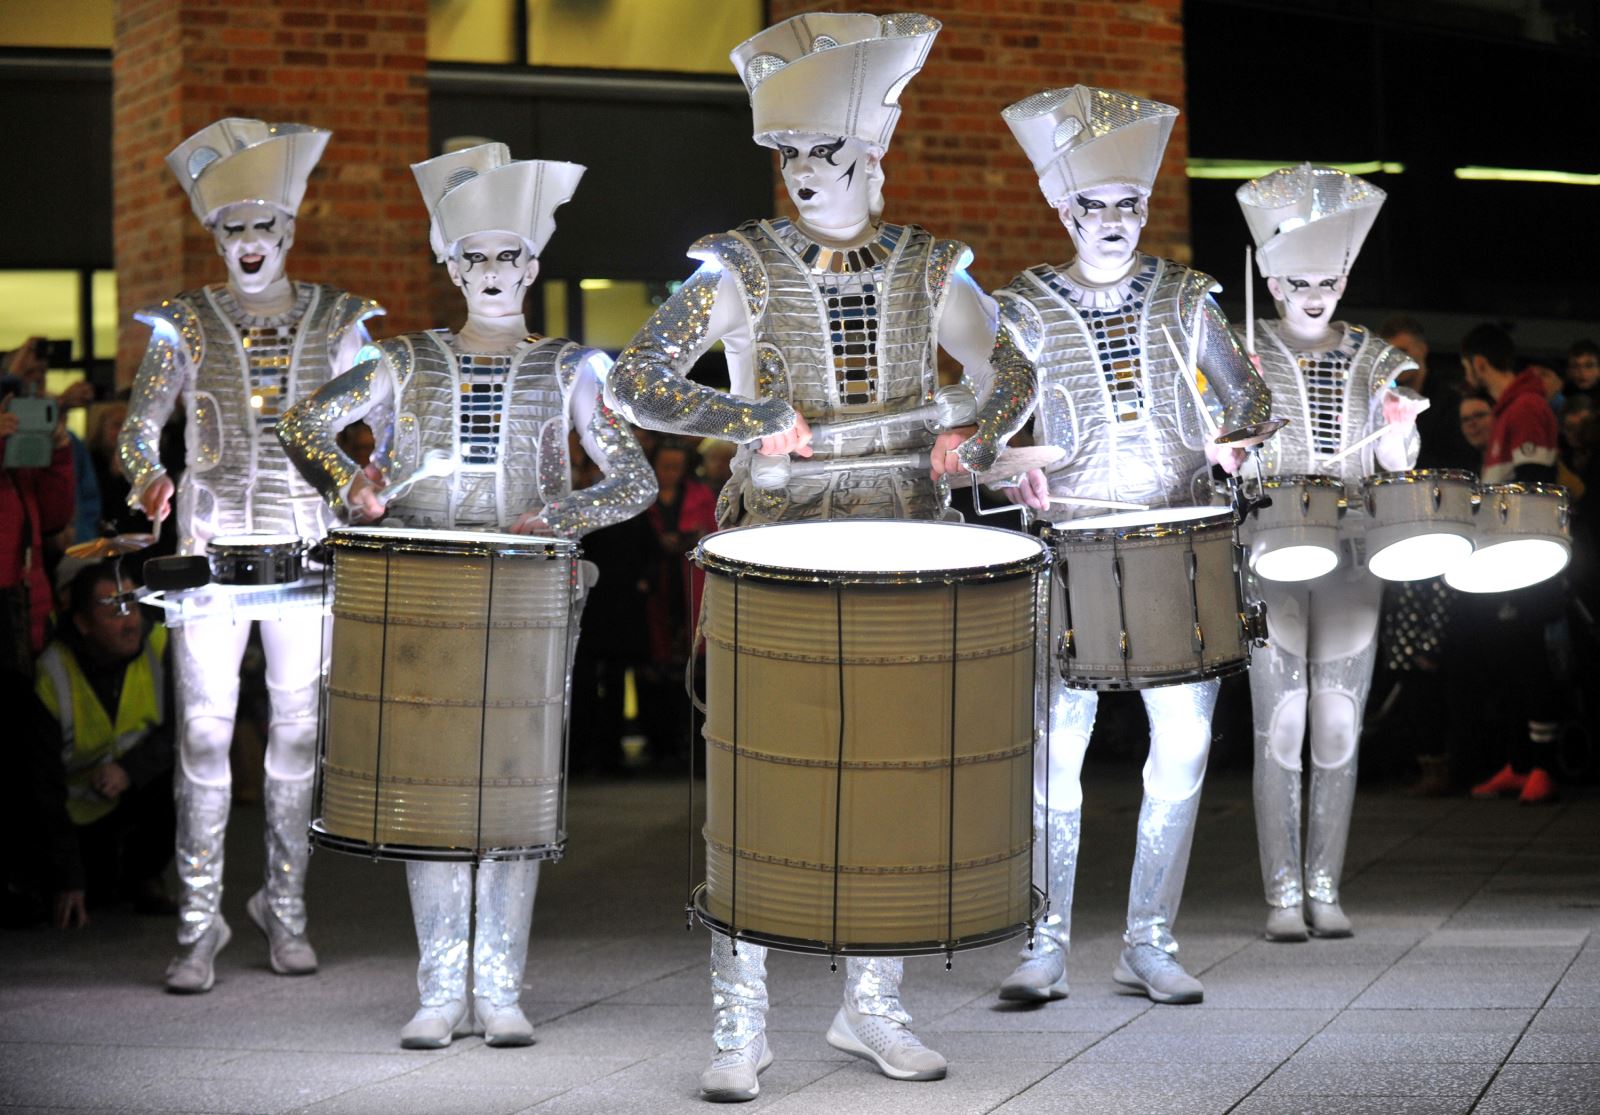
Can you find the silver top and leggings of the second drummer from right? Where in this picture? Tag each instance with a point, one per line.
(1113, 396)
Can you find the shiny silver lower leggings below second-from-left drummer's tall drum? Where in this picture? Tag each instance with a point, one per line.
(482, 922)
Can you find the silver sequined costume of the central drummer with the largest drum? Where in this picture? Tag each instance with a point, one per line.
(831, 335)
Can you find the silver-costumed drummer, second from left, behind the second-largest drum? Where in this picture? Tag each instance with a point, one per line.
(498, 406)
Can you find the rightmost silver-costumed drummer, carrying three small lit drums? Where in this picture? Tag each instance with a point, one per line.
(1334, 382)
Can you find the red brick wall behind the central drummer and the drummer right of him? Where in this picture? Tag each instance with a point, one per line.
(954, 166)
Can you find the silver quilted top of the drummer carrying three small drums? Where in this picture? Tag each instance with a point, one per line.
(1332, 399)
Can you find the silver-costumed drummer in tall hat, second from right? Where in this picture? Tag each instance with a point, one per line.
(1113, 396)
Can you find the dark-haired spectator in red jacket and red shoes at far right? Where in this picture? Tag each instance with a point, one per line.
(1524, 449)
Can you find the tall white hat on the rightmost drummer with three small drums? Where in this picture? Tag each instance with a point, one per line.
(1310, 220)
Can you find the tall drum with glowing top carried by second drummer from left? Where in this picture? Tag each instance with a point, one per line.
(447, 695)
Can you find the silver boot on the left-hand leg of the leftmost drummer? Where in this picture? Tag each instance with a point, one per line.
(202, 821)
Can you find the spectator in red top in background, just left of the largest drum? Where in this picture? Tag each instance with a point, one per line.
(684, 513)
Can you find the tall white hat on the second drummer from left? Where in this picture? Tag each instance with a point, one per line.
(482, 190)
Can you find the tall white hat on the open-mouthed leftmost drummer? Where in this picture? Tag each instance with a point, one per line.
(239, 159)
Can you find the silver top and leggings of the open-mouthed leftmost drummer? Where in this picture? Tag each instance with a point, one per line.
(236, 377)
